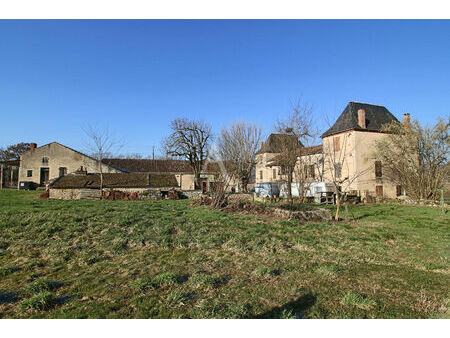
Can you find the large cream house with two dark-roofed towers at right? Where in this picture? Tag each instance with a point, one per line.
(346, 152)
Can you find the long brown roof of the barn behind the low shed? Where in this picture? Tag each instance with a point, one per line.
(156, 166)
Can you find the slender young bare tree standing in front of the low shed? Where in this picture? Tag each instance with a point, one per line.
(101, 145)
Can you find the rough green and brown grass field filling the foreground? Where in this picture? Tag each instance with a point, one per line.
(121, 259)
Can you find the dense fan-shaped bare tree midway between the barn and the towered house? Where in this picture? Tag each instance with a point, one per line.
(237, 146)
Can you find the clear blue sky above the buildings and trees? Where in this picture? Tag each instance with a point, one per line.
(134, 76)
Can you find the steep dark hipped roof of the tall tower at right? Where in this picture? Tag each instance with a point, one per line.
(376, 116)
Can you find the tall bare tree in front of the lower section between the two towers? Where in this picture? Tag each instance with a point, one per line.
(295, 129)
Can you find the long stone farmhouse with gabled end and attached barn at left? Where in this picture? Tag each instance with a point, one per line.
(48, 164)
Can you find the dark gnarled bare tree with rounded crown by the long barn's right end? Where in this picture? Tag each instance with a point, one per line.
(189, 140)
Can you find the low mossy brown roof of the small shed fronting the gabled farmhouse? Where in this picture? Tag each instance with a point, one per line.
(116, 180)
